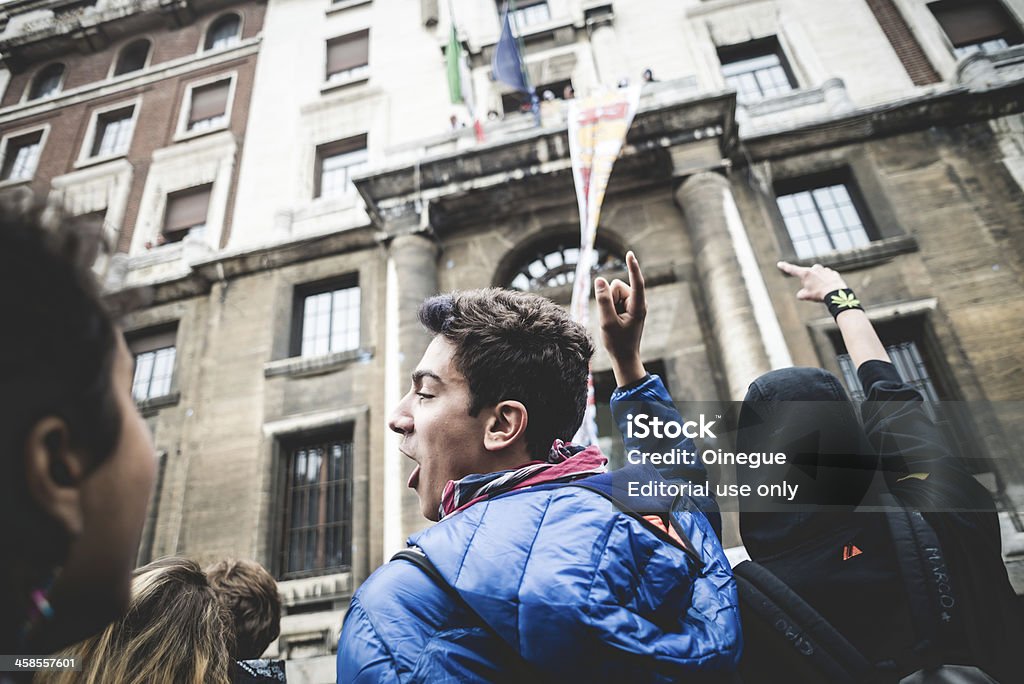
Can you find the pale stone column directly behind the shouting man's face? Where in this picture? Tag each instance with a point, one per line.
(412, 277)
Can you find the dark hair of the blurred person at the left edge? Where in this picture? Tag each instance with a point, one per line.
(58, 346)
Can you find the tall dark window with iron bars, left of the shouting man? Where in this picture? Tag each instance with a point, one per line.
(318, 526)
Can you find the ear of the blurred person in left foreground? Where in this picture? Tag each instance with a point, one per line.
(54, 474)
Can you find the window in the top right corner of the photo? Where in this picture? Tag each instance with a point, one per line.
(978, 26)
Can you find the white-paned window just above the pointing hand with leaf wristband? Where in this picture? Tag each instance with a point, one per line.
(824, 215)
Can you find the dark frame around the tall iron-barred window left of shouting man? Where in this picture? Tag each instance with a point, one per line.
(288, 446)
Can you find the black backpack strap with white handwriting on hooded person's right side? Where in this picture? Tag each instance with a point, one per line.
(926, 581)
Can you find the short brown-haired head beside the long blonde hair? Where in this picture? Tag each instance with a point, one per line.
(251, 594)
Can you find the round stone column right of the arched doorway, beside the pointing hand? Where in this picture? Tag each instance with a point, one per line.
(706, 199)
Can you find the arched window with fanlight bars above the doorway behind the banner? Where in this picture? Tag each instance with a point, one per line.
(552, 263)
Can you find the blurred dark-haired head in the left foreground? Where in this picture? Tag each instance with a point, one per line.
(77, 463)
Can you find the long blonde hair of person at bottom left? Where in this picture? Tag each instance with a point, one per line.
(176, 630)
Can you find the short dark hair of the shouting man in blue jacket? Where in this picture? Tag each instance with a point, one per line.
(520, 347)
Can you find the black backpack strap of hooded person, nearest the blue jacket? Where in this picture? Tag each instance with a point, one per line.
(813, 649)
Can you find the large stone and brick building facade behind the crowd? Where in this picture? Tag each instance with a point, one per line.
(883, 138)
